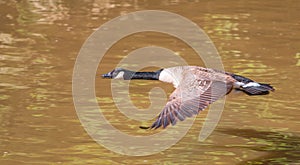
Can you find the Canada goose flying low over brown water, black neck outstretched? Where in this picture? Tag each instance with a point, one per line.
(195, 88)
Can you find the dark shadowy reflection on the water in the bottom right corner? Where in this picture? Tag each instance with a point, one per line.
(283, 147)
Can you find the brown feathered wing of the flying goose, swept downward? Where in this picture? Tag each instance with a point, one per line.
(189, 100)
